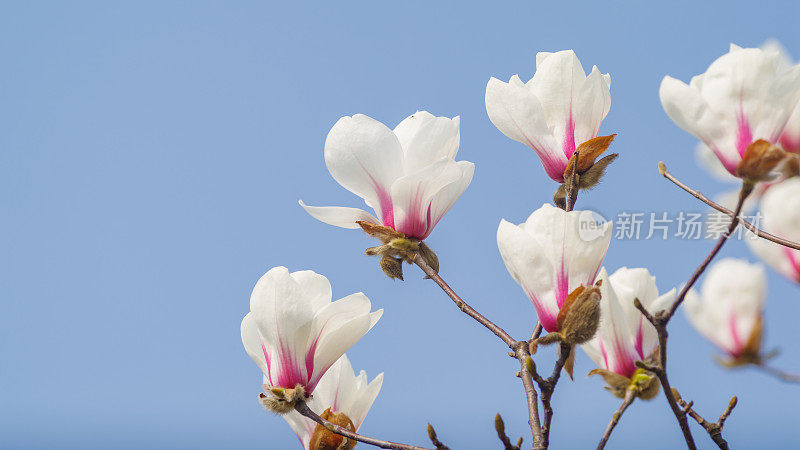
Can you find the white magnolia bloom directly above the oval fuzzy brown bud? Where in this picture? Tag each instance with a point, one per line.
(551, 254)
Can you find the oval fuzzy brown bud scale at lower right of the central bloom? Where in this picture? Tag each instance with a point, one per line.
(579, 315)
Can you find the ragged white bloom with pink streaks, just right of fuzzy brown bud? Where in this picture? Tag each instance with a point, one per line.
(624, 335)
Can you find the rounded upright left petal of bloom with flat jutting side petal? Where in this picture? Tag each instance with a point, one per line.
(365, 157)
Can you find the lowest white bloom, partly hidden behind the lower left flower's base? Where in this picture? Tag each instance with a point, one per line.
(341, 391)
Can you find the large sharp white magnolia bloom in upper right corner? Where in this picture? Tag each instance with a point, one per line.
(745, 95)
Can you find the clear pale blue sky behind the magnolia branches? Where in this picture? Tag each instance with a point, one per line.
(152, 158)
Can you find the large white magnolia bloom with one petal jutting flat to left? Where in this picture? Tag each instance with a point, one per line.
(408, 176)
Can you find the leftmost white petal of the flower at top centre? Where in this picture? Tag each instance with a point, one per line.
(518, 114)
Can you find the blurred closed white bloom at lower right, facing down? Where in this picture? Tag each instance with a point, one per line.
(729, 305)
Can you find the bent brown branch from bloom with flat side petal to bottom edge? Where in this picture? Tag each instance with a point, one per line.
(520, 348)
